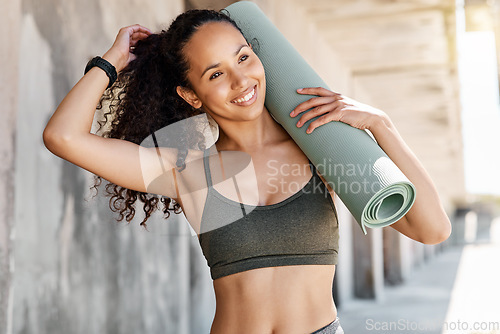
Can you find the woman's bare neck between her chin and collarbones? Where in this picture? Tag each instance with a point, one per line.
(250, 136)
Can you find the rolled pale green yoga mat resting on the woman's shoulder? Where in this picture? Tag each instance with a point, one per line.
(370, 185)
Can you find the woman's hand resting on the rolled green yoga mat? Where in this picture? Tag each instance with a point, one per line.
(335, 107)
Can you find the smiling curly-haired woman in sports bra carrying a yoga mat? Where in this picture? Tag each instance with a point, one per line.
(203, 64)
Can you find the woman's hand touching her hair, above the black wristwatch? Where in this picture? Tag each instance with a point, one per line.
(119, 54)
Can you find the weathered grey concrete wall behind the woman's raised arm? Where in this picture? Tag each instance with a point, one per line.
(76, 269)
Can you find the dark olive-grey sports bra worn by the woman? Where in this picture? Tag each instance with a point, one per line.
(300, 230)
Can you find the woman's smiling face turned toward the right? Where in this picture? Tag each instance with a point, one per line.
(226, 75)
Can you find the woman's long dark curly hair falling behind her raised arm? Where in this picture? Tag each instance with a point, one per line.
(144, 100)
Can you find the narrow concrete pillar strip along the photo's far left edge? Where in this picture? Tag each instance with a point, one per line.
(9, 90)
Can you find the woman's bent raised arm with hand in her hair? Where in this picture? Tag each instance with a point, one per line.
(68, 132)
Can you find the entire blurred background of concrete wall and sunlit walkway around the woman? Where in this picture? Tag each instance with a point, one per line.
(66, 266)
